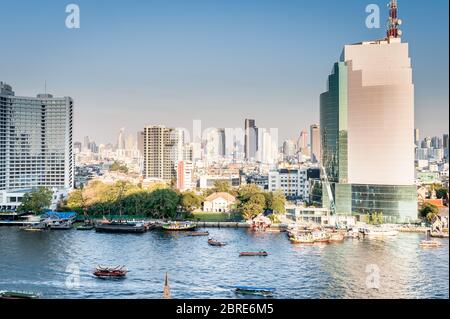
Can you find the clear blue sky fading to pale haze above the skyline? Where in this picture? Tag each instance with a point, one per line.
(135, 63)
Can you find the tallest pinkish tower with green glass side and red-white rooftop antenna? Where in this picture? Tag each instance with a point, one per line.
(367, 116)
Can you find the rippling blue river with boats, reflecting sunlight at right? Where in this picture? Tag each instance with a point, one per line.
(59, 264)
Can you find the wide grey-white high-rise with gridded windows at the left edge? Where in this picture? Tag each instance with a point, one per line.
(35, 145)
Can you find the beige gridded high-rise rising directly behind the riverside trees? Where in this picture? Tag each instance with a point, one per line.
(160, 144)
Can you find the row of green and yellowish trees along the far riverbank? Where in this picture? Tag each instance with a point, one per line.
(99, 198)
